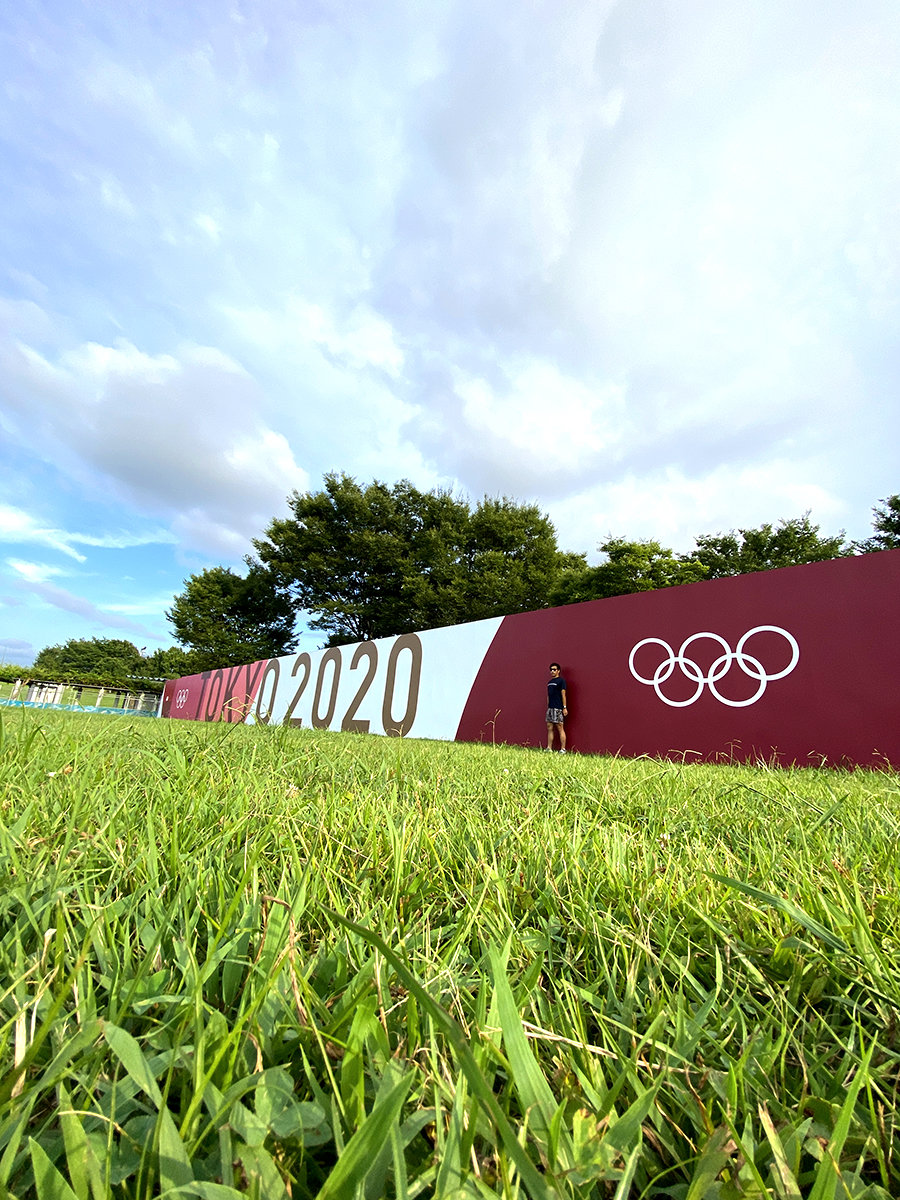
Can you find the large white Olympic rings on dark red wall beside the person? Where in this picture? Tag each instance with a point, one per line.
(748, 663)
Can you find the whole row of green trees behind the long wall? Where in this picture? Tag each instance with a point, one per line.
(358, 562)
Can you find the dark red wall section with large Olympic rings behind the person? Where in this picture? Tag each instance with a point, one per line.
(838, 704)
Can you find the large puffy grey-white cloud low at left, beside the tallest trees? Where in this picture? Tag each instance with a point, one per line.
(171, 434)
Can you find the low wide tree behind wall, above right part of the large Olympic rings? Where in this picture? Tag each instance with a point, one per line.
(742, 551)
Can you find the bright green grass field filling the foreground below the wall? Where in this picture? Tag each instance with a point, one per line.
(285, 963)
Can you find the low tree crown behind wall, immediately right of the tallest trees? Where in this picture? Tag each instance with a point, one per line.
(629, 567)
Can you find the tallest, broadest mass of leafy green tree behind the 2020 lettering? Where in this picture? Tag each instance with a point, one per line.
(375, 561)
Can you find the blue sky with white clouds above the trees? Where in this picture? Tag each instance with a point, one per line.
(637, 262)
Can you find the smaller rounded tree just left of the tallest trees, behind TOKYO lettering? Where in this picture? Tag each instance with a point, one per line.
(227, 620)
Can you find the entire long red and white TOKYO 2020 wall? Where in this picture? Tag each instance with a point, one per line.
(800, 665)
